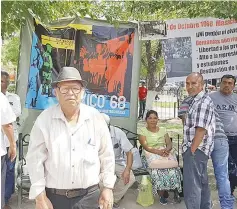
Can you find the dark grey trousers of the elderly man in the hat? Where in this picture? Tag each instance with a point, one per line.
(89, 201)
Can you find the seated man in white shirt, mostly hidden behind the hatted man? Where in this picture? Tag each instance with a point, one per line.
(122, 146)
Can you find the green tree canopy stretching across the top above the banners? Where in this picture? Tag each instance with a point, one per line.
(14, 12)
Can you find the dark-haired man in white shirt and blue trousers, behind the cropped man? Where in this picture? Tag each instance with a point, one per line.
(14, 101)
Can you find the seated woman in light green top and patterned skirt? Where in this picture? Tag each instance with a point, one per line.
(163, 167)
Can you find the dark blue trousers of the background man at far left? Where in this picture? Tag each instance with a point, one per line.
(10, 179)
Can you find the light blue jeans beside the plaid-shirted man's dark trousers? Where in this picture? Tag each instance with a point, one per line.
(219, 157)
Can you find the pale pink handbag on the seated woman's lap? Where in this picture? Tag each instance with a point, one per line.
(157, 161)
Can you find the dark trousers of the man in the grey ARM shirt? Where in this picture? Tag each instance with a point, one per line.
(232, 162)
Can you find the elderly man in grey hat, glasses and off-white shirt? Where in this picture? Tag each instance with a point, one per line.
(70, 151)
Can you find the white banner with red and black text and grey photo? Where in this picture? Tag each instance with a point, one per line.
(205, 45)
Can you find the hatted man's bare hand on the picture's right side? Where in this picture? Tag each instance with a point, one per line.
(106, 199)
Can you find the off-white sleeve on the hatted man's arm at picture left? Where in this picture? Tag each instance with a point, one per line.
(36, 156)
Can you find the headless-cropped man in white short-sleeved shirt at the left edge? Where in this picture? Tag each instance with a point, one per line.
(7, 118)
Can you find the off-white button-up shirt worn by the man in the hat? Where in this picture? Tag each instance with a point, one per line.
(64, 157)
